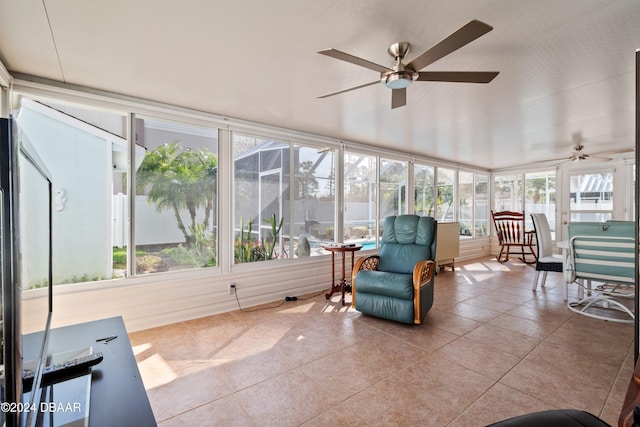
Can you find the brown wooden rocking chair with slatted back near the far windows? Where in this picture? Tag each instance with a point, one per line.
(510, 229)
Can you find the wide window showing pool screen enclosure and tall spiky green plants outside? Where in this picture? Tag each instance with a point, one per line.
(284, 205)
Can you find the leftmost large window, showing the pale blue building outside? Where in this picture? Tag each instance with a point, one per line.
(86, 157)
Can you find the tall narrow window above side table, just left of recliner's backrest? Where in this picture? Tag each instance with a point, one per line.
(360, 201)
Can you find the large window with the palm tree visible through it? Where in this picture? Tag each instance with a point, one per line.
(176, 196)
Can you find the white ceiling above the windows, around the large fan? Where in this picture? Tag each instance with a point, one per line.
(566, 67)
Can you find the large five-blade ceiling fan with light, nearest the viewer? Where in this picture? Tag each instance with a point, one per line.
(400, 76)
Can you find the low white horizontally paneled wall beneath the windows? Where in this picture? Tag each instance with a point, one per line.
(160, 299)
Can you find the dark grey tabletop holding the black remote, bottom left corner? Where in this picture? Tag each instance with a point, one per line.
(118, 397)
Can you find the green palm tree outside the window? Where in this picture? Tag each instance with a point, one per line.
(179, 179)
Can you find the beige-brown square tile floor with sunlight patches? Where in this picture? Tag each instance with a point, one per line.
(489, 349)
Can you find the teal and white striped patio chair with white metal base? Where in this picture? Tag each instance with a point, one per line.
(603, 253)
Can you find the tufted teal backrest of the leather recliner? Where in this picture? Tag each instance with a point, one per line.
(406, 239)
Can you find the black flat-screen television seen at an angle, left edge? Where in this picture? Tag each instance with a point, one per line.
(26, 212)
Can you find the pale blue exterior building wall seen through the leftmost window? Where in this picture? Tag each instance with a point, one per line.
(82, 221)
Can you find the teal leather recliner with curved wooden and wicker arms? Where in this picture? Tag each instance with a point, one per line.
(398, 284)
